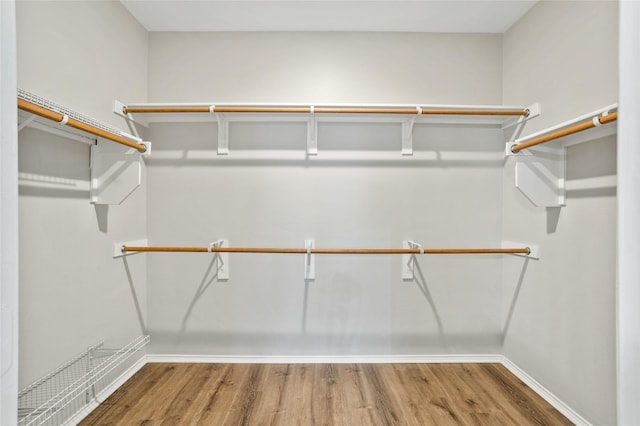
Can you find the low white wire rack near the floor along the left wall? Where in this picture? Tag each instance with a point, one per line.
(58, 396)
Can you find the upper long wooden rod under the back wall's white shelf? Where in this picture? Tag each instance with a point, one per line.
(323, 110)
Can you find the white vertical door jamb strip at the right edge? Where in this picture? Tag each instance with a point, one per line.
(629, 210)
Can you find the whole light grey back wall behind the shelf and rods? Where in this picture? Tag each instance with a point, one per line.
(358, 192)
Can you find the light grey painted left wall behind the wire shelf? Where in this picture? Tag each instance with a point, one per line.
(72, 293)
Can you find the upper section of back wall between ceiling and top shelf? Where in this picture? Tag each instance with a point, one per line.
(325, 67)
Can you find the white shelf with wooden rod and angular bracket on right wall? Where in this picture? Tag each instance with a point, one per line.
(541, 157)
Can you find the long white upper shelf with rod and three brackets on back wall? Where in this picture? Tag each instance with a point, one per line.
(312, 114)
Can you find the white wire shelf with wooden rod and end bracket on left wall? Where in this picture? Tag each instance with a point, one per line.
(115, 168)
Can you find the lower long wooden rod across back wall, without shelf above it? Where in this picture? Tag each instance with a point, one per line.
(127, 249)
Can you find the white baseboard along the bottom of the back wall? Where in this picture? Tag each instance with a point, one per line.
(328, 359)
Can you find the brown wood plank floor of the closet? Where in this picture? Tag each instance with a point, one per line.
(324, 394)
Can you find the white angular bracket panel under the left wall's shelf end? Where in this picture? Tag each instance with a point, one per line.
(116, 171)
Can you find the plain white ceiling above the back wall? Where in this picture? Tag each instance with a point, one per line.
(464, 16)
